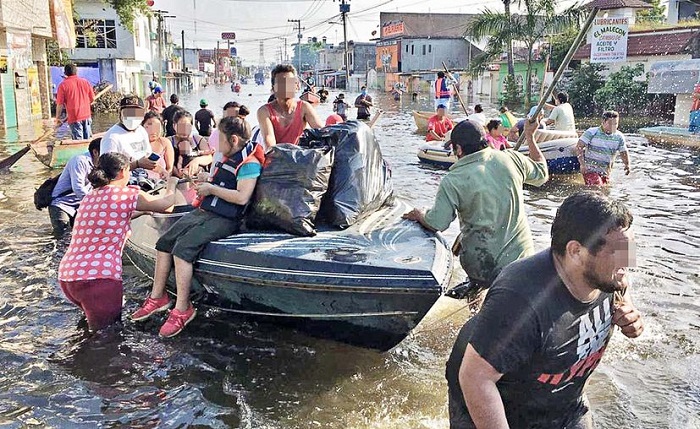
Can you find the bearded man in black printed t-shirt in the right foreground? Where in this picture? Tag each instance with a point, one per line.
(524, 359)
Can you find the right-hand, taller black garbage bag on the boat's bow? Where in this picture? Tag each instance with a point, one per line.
(361, 179)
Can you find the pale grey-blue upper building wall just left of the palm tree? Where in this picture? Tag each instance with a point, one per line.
(454, 52)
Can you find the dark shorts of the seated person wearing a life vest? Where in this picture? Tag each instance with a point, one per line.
(189, 236)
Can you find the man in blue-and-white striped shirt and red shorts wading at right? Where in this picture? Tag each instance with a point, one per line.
(597, 149)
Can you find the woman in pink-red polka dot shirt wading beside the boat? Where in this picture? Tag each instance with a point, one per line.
(90, 273)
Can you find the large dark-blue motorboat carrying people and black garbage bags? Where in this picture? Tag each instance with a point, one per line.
(368, 285)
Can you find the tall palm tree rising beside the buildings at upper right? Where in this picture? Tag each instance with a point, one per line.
(539, 20)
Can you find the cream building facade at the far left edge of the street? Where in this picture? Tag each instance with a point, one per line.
(25, 26)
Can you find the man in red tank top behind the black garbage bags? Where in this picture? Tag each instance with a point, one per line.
(285, 118)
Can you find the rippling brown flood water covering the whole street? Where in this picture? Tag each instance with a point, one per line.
(229, 372)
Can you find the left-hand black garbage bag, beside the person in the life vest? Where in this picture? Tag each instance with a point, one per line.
(289, 190)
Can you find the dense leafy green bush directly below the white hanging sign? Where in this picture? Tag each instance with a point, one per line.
(623, 91)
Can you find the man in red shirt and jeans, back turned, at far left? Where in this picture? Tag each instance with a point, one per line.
(75, 96)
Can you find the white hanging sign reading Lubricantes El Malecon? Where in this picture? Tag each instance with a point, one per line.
(609, 43)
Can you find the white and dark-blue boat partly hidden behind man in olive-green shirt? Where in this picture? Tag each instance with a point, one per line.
(559, 153)
